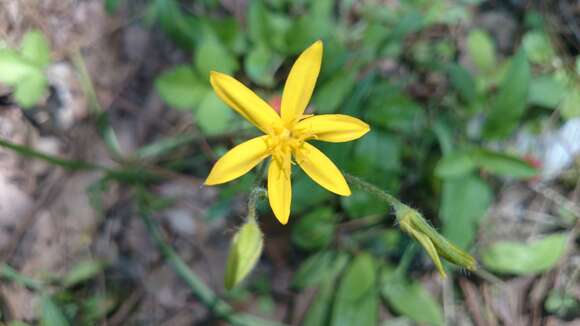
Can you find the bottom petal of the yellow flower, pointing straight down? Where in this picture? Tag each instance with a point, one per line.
(280, 189)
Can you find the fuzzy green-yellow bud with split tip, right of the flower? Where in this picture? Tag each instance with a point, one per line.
(434, 243)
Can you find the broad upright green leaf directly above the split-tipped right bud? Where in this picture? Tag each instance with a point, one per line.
(464, 202)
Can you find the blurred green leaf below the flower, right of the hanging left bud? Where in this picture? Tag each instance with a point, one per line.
(319, 267)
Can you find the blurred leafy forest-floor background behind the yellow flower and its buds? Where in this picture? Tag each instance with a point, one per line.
(108, 127)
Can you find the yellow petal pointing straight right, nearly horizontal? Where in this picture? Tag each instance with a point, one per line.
(334, 128)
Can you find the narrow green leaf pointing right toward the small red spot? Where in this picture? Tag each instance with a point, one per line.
(504, 164)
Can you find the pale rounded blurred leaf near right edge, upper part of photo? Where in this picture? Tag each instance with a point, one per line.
(546, 91)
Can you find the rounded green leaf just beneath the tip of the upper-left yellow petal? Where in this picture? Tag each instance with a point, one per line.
(213, 116)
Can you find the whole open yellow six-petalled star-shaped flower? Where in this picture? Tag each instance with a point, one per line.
(285, 134)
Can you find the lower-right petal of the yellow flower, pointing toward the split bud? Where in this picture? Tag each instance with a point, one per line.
(321, 169)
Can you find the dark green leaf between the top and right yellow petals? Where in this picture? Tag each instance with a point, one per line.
(331, 94)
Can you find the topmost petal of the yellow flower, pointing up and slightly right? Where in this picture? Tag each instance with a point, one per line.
(300, 83)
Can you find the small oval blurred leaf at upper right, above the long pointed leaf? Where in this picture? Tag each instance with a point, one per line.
(481, 50)
